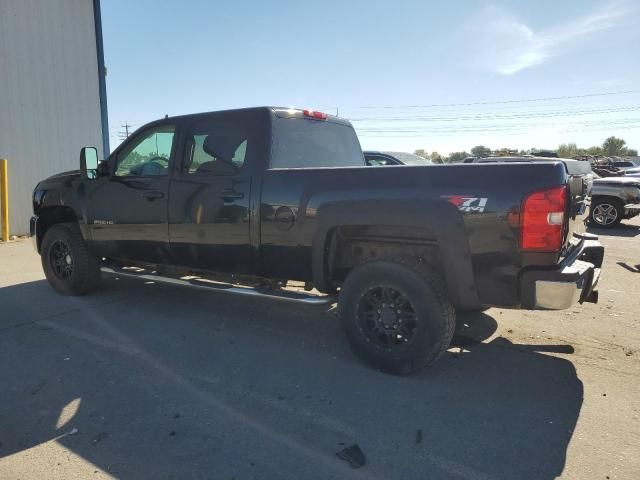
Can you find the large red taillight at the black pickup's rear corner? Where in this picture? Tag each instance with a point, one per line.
(542, 220)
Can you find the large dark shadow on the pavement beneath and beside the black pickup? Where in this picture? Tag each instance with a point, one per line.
(172, 383)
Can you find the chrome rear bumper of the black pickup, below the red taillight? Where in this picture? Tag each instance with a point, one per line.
(573, 280)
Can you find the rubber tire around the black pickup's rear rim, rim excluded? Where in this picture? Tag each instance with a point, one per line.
(435, 317)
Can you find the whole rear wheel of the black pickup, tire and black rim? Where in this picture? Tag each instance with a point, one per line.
(396, 314)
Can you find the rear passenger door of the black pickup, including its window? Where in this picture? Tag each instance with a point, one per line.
(209, 209)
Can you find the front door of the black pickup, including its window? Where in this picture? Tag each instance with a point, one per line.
(127, 210)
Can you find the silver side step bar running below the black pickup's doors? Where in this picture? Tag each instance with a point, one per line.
(204, 284)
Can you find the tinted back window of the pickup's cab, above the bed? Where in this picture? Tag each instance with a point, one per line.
(302, 143)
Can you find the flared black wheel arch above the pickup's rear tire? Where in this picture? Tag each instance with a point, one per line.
(429, 229)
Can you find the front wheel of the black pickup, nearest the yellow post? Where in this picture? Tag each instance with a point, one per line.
(67, 263)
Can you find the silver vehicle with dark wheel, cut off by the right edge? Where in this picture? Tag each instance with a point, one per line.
(614, 199)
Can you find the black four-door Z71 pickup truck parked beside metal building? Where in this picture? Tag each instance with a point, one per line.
(252, 201)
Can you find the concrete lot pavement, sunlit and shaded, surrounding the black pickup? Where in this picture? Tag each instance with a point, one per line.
(145, 381)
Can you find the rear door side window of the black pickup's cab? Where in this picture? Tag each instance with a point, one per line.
(215, 148)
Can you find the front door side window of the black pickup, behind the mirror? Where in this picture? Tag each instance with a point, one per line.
(147, 154)
